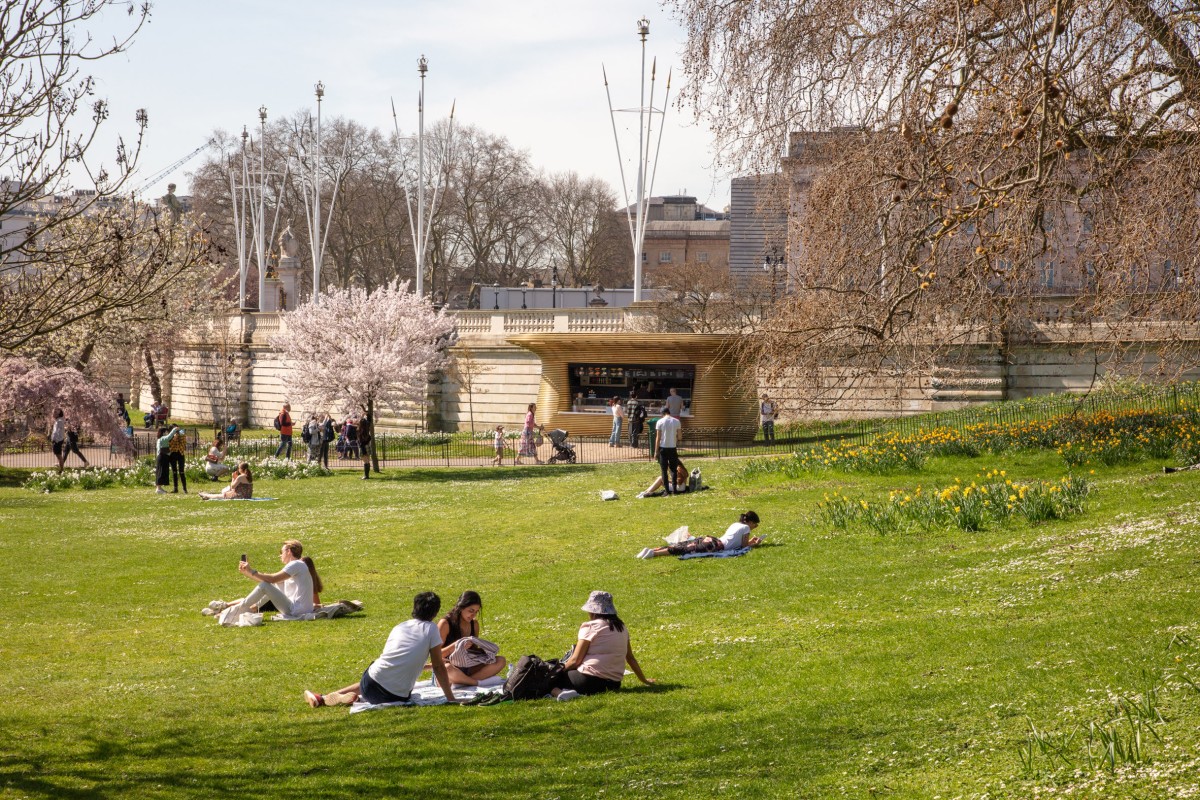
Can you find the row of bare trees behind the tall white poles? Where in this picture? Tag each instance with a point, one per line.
(497, 219)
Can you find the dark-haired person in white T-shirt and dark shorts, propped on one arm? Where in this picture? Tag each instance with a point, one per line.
(391, 678)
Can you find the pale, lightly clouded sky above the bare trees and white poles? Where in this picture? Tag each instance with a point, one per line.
(530, 71)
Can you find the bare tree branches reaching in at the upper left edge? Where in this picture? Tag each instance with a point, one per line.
(53, 272)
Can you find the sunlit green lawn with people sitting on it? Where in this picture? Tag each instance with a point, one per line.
(826, 665)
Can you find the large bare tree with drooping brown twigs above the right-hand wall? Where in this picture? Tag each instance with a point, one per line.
(968, 169)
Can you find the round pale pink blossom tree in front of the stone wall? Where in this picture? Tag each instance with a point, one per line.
(359, 352)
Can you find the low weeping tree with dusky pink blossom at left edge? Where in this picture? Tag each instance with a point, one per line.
(29, 394)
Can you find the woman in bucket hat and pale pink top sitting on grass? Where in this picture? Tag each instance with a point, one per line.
(598, 661)
